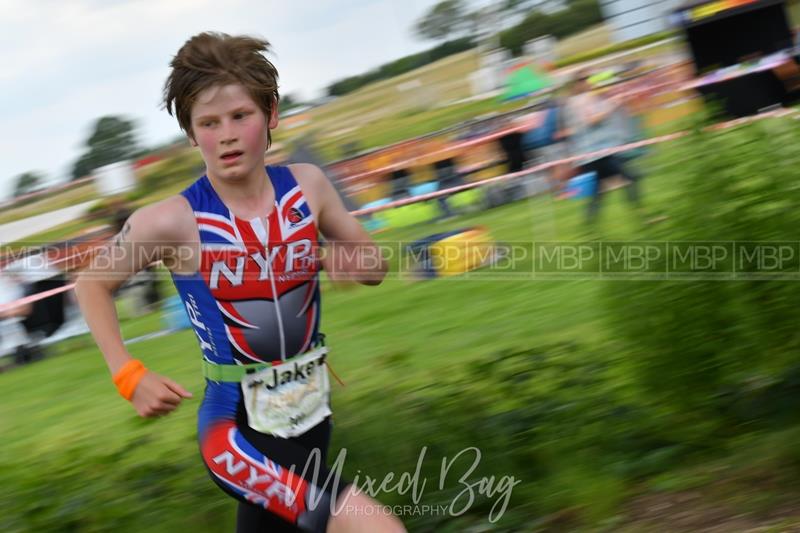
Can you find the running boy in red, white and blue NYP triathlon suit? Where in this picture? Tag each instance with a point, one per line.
(243, 249)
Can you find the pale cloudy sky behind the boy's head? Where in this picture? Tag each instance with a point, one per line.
(68, 62)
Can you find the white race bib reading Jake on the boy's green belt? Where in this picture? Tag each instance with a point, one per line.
(287, 400)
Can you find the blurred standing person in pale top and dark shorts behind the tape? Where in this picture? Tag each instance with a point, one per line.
(595, 123)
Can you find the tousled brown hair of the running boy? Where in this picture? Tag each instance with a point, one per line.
(209, 59)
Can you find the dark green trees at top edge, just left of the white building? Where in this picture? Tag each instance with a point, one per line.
(580, 15)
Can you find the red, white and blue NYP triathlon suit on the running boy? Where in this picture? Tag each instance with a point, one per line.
(256, 299)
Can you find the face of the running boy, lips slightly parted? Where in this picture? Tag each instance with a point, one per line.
(231, 131)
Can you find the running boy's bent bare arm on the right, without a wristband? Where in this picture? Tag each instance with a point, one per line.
(350, 253)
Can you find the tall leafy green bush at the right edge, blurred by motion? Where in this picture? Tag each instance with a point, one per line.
(718, 353)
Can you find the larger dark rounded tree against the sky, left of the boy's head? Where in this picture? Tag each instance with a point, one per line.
(113, 139)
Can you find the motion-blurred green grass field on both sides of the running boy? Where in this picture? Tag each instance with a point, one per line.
(524, 369)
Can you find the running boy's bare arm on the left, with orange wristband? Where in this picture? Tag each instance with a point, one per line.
(149, 235)
